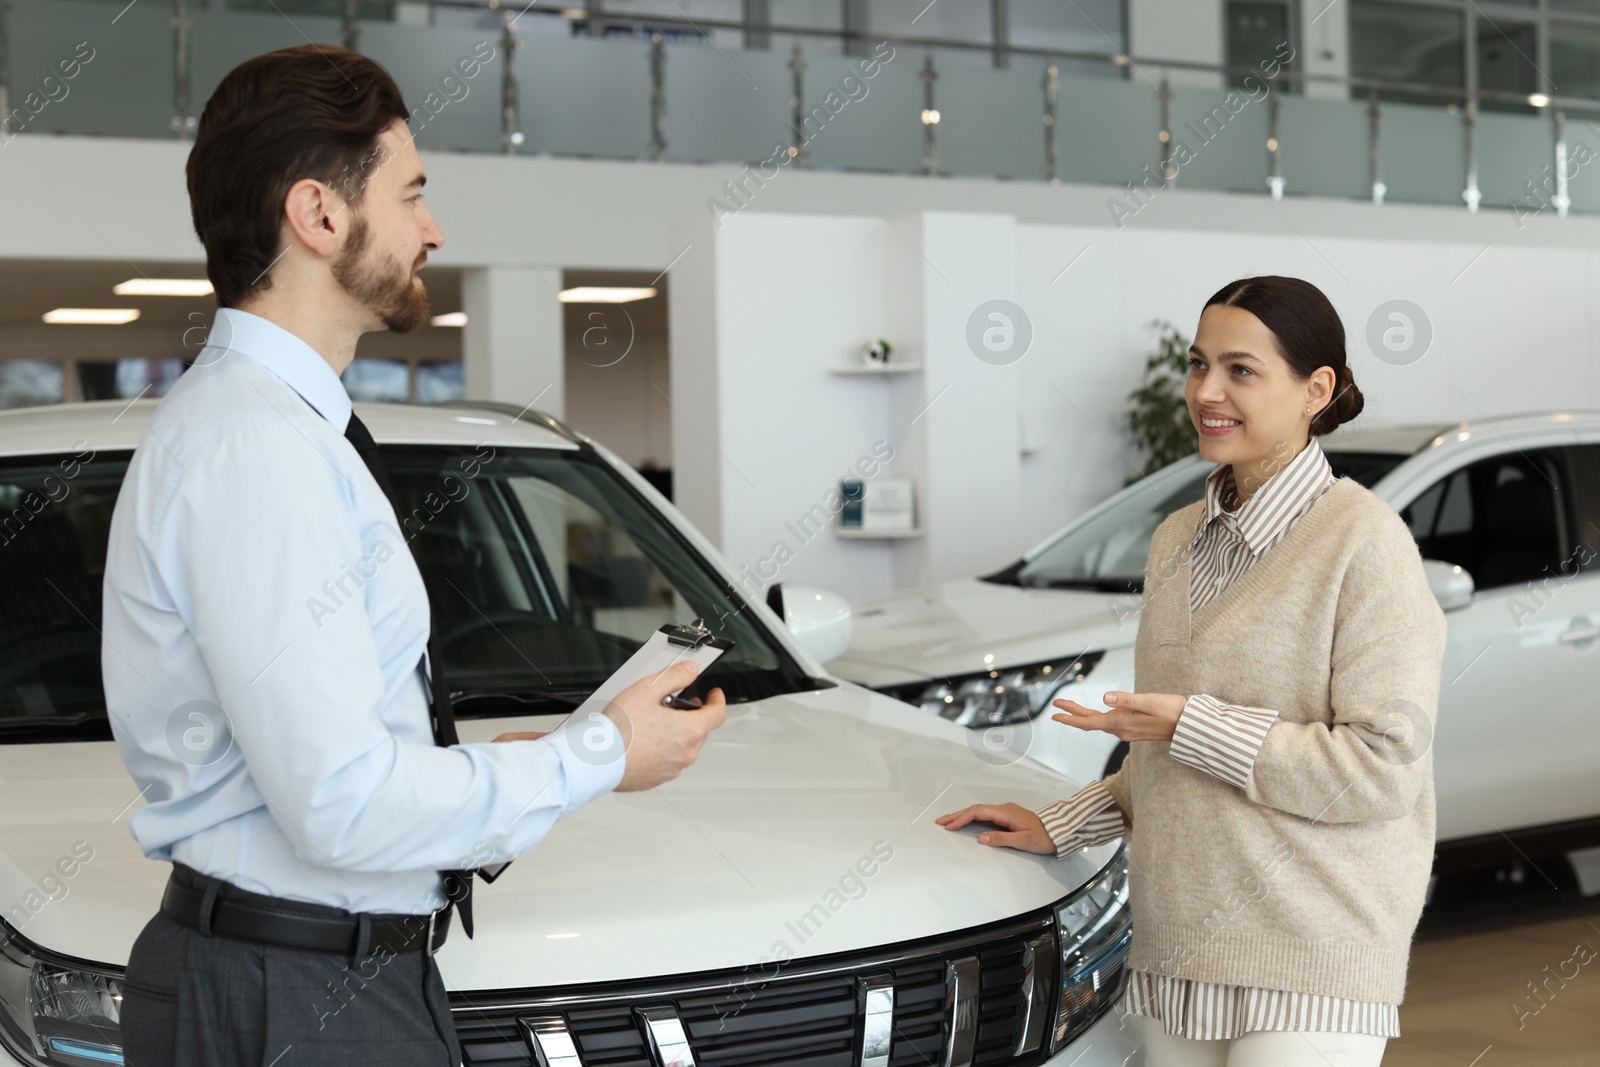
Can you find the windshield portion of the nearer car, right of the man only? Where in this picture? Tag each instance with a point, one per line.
(548, 572)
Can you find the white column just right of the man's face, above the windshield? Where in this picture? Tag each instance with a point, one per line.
(513, 343)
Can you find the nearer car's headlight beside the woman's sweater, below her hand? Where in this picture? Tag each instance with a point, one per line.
(1094, 930)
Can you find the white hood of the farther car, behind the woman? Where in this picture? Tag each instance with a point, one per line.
(967, 625)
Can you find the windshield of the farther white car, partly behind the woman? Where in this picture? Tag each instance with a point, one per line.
(1108, 553)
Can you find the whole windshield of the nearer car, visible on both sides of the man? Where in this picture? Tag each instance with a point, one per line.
(545, 570)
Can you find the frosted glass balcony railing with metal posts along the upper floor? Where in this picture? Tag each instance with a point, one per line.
(540, 81)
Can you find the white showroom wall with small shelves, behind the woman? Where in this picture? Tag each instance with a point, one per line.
(786, 298)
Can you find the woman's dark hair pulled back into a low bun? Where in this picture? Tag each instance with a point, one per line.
(1308, 332)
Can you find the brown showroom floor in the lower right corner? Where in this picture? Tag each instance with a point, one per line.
(1470, 1004)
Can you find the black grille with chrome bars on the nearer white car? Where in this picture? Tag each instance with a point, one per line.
(810, 1013)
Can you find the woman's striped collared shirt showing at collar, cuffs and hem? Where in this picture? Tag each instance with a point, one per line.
(1223, 740)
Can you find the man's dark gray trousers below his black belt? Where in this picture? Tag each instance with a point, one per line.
(198, 999)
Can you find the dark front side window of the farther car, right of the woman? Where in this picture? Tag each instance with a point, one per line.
(1505, 521)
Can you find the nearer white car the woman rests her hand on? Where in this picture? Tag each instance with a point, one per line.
(786, 901)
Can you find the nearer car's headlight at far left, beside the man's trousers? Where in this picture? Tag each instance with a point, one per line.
(55, 1012)
